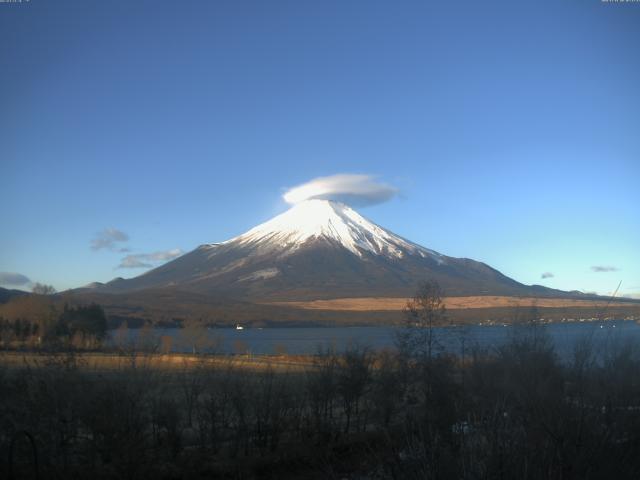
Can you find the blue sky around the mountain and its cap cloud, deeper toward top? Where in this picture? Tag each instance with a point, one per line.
(131, 129)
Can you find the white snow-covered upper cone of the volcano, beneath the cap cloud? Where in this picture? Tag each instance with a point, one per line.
(331, 221)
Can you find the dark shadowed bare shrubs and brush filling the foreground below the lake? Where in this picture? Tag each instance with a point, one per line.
(516, 412)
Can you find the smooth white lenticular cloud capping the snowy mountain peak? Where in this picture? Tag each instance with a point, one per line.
(352, 189)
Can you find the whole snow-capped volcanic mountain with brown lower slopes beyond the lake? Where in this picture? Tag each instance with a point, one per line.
(319, 249)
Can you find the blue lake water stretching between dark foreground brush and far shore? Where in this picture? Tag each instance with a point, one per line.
(605, 335)
